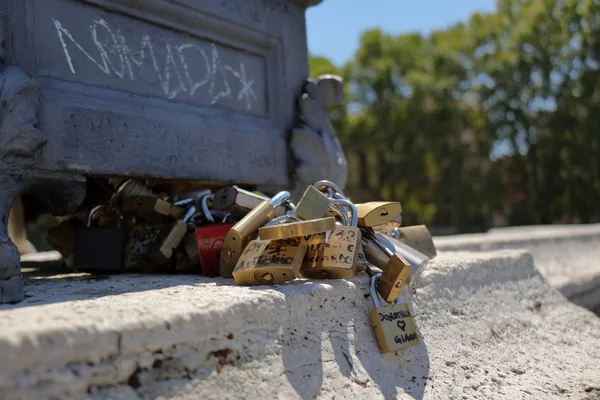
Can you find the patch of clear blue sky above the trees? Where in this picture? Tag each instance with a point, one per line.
(334, 27)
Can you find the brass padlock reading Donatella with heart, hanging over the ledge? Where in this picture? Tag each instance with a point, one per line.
(394, 325)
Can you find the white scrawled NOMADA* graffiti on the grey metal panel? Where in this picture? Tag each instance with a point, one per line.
(175, 72)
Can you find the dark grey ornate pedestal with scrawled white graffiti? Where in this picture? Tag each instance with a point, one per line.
(164, 89)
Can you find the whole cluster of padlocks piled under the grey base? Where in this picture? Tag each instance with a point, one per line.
(257, 240)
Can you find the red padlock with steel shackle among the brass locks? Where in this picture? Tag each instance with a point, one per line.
(209, 241)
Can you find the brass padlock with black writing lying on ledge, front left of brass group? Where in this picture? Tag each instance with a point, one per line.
(267, 262)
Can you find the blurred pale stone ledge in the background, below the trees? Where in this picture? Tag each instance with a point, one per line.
(566, 255)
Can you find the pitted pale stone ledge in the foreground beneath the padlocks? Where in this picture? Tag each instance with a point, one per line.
(491, 327)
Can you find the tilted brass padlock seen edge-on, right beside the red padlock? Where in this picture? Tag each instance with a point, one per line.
(246, 230)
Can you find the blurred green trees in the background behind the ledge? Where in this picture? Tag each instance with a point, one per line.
(498, 113)
